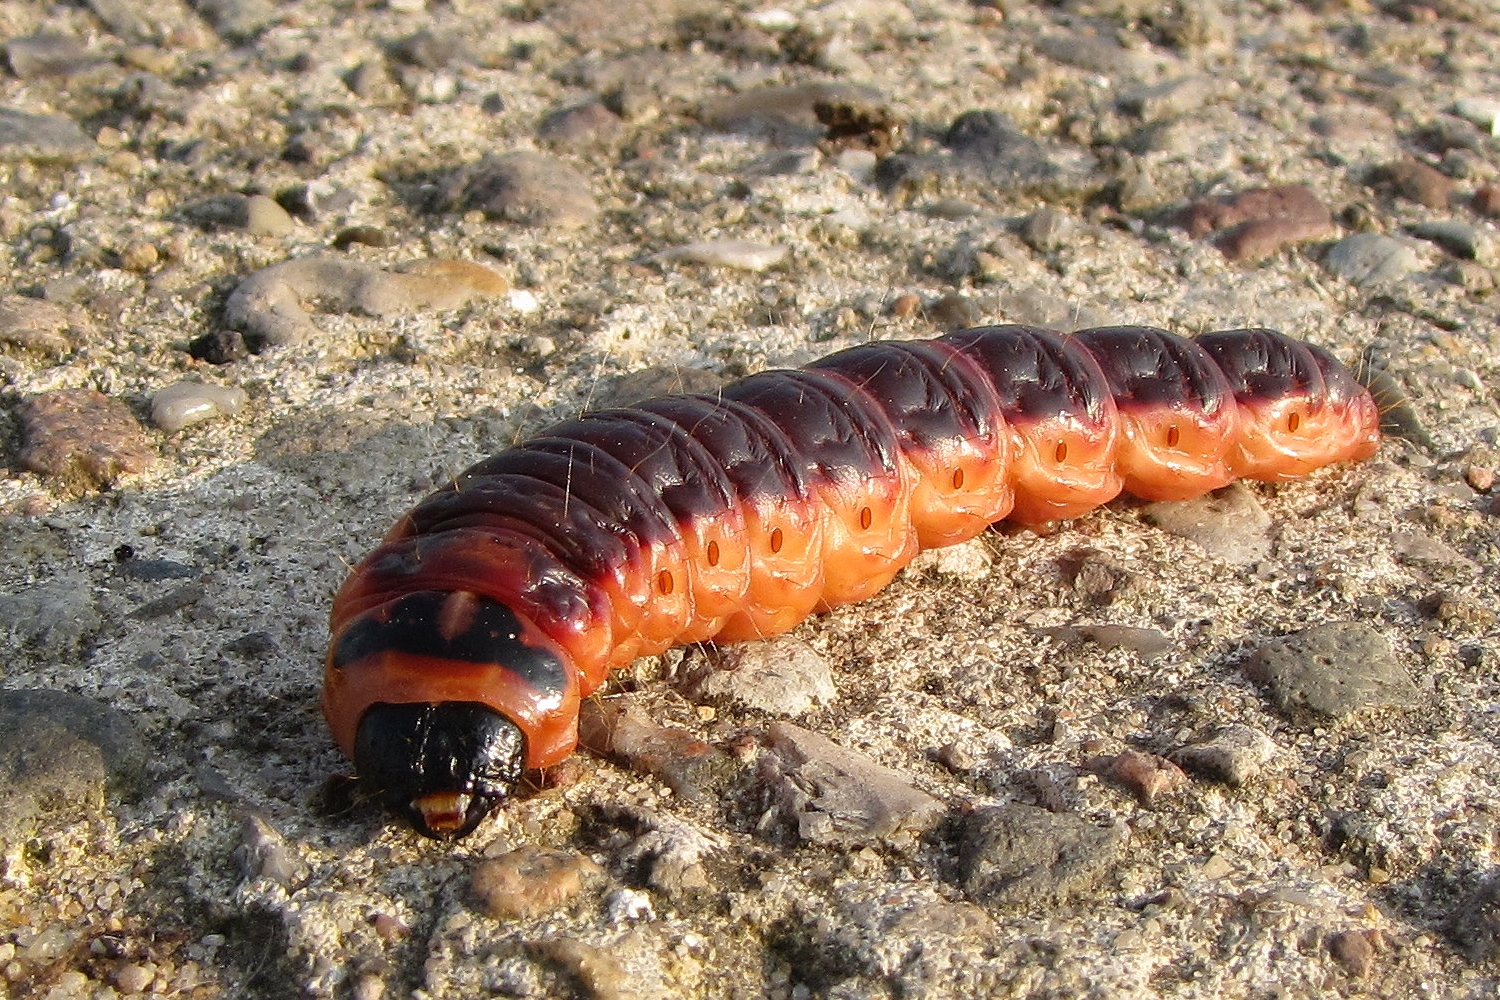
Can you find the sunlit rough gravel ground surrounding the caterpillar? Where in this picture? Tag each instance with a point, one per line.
(271, 272)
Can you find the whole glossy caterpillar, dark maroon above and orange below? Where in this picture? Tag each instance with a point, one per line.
(463, 645)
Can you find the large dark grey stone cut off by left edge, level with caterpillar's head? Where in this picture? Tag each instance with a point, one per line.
(64, 759)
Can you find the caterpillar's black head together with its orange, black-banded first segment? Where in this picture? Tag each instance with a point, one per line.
(443, 699)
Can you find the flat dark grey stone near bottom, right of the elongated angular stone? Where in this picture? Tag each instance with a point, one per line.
(1021, 857)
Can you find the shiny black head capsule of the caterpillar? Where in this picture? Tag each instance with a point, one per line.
(442, 767)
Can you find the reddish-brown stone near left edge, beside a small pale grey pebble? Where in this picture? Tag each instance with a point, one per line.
(82, 439)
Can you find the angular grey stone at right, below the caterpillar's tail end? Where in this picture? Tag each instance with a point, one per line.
(1331, 671)
